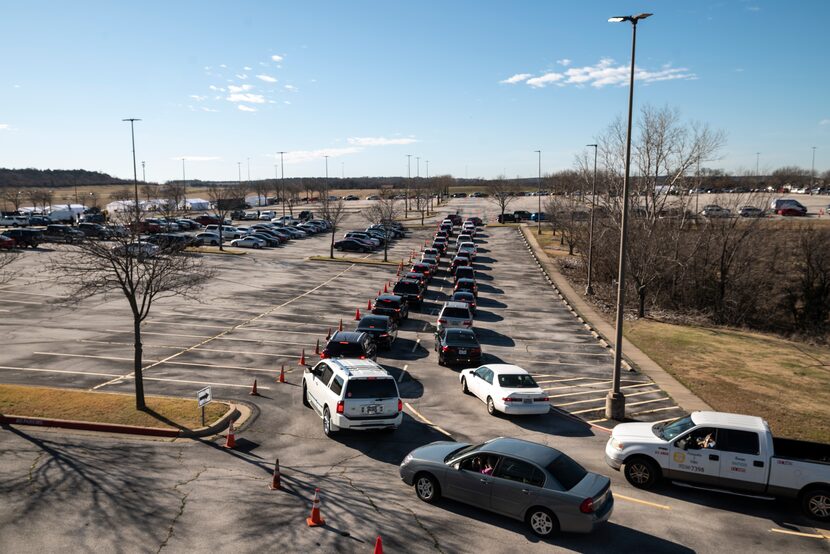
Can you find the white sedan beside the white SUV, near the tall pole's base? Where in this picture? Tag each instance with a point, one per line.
(505, 388)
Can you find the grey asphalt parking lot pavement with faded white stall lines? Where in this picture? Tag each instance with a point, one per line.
(259, 314)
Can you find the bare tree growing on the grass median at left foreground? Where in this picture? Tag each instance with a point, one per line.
(135, 269)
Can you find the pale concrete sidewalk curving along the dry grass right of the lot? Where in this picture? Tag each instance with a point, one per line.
(634, 358)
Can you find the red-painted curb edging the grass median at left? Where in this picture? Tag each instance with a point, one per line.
(220, 424)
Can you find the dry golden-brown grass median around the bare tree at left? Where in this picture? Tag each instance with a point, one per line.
(101, 407)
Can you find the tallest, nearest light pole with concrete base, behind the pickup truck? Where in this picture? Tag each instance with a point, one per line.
(615, 401)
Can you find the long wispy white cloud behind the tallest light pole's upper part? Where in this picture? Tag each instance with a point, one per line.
(603, 73)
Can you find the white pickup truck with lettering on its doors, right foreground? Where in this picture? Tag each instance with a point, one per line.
(726, 451)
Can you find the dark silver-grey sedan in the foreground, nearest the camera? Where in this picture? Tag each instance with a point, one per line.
(520, 479)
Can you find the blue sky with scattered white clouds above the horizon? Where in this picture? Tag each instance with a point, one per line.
(367, 82)
